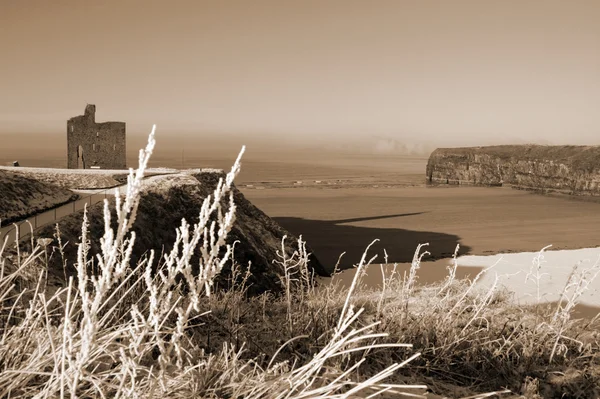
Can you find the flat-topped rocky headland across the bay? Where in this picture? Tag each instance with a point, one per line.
(571, 170)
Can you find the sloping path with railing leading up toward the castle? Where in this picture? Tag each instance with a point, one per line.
(26, 227)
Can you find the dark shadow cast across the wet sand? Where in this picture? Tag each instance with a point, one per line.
(327, 239)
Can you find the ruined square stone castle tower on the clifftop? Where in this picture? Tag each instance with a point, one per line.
(92, 145)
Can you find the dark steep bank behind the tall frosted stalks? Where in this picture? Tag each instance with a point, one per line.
(164, 202)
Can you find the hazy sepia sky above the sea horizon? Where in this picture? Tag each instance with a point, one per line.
(477, 71)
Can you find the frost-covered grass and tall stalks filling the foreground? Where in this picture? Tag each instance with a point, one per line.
(158, 328)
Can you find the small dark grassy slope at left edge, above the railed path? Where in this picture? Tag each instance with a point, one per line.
(22, 196)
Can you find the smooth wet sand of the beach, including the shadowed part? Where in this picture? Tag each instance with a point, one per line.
(483, 220)
